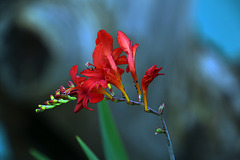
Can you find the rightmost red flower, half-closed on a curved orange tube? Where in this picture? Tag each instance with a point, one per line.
(149, 76)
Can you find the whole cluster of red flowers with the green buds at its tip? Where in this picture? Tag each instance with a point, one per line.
(104, 72)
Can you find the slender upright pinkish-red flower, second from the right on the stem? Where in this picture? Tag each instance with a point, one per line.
(126, 45)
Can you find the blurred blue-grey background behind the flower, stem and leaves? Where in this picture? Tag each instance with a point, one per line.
(196, 42)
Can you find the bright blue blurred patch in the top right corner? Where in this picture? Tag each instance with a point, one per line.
(219, 22)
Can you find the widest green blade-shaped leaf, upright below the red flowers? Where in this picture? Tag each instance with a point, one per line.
(112, 144)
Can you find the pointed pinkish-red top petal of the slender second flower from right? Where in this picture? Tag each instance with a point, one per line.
(124, 42)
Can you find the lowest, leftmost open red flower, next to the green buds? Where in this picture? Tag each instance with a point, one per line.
(85, 92)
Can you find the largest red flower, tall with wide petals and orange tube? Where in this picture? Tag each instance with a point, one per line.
(105, 61)
